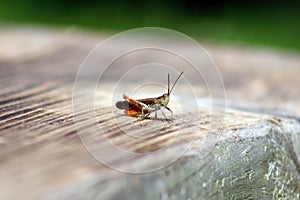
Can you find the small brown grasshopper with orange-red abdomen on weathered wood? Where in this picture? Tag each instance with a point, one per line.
(144, 107)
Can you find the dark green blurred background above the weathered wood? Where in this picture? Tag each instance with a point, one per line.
(271, 24)
